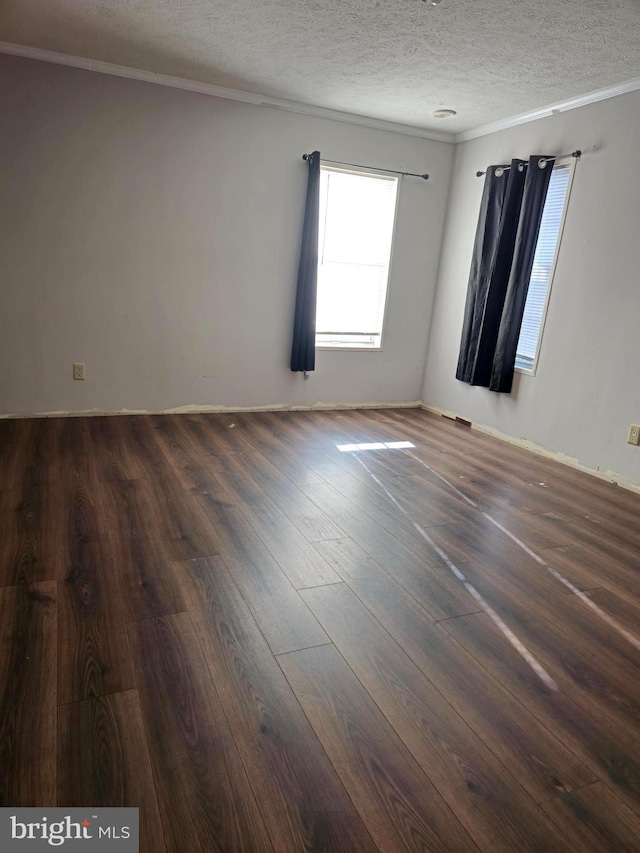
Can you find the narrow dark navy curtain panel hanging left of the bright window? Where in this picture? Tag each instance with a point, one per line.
(303, 350)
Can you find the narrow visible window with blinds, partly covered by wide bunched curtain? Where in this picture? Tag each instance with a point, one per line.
(544, 262)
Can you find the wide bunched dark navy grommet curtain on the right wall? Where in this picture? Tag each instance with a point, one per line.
(506, 237)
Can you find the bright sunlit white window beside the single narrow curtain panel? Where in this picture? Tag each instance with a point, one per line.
(357, 213)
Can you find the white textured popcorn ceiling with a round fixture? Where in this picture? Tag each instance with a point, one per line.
(389, 59)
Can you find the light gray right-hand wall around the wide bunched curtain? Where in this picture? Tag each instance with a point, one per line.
(586, 390)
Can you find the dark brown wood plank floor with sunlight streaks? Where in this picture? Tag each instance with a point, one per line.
(269, 643)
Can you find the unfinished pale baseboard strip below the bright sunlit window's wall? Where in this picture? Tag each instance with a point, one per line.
(204, 409)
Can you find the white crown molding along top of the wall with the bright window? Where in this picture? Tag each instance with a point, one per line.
(218, 91)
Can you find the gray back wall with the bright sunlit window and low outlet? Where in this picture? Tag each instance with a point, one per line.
(153, 234)
